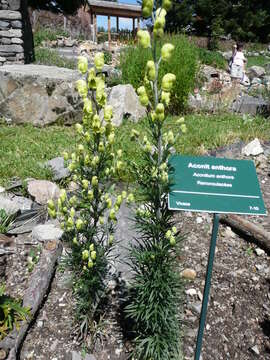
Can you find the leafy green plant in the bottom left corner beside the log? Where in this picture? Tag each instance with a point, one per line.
(11, 313)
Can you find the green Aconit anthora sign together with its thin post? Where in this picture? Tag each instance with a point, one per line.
(213, 185)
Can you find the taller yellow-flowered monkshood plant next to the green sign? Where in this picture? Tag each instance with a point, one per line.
(155, 294)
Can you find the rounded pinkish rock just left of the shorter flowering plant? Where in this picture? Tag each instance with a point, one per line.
(43, 190)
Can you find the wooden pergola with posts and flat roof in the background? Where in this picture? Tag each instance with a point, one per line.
(118, 10)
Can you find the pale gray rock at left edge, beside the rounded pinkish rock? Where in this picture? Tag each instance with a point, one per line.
(12, 203)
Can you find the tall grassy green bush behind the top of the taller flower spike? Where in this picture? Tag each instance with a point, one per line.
(183, 64)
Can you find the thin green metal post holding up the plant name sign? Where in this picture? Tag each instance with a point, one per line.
(207, 286)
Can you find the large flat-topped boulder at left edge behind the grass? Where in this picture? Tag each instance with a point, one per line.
(38, 94)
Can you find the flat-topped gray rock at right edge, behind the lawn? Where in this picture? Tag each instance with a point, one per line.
(250, 105)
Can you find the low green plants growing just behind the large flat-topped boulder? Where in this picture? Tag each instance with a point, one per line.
(52, 58)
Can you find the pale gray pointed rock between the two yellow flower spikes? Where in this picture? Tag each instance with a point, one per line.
(125, 103)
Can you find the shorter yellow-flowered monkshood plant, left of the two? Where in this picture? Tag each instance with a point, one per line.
(88, 216)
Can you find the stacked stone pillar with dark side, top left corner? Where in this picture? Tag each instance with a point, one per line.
(16, 39)
